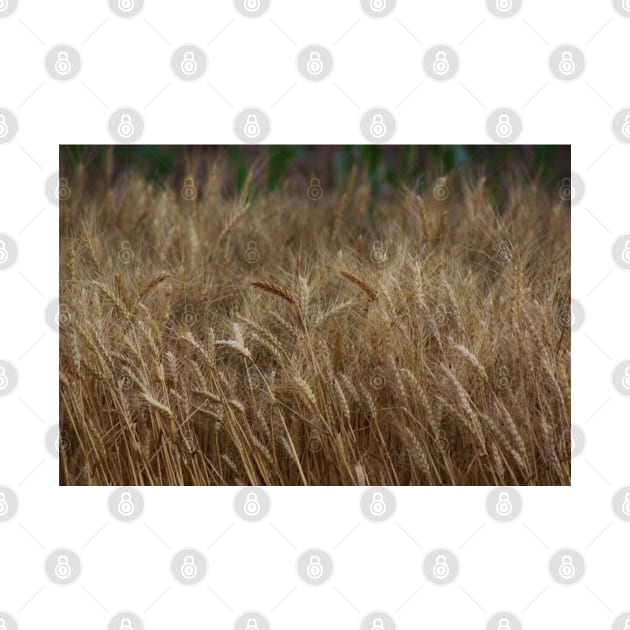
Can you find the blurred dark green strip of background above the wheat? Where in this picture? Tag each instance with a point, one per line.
(386, 166)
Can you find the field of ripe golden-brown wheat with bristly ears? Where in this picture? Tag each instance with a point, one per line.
(285, 339)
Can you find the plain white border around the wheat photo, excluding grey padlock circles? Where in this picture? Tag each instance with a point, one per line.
(251, 62)
